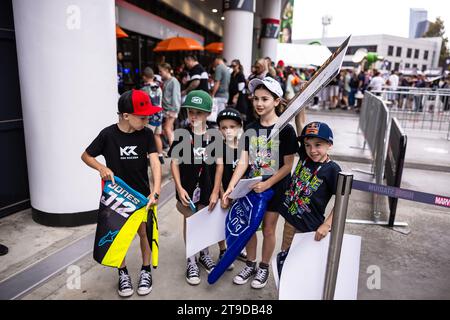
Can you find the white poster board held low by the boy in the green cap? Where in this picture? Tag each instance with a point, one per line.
(205, 228)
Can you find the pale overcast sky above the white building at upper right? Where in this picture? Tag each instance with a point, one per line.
(363, 17)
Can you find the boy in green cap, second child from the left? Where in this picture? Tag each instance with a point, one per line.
(197, 178)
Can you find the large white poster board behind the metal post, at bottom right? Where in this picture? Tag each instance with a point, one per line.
(303, 273)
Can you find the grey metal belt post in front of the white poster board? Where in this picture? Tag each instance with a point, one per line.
(344, 187)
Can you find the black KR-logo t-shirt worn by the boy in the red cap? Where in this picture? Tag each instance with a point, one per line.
(126, 154)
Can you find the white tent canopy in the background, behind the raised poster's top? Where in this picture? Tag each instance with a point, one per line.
(302, 55)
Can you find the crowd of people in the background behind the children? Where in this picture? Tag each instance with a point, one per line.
(228, 86)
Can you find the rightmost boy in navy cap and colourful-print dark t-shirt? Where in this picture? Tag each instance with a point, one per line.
(313, 183)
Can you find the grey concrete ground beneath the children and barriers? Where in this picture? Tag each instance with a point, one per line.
(413, 266)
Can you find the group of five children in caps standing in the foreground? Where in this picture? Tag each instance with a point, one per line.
(204, 177)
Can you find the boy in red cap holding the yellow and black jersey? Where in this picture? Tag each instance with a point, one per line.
(126, 147)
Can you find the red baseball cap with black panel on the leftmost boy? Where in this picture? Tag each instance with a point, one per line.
(137, 102)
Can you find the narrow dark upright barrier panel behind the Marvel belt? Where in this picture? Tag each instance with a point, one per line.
(395, 160)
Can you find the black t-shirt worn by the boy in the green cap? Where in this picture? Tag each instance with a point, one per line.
(197, 168)
